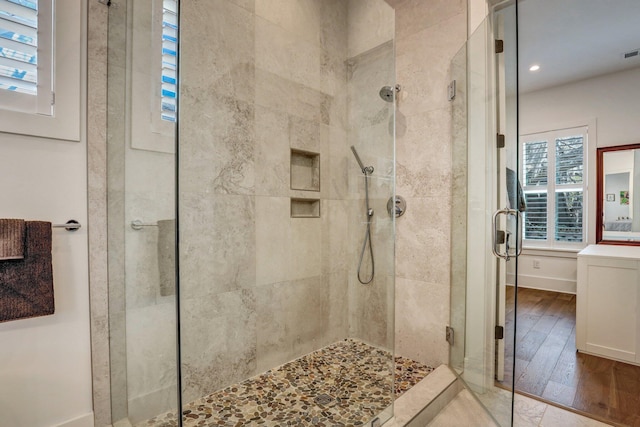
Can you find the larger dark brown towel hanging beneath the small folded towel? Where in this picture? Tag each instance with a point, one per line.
(26, 286)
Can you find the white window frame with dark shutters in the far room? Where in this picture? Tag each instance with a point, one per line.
(550, 136)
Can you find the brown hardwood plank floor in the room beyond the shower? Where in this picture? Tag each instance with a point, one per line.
(548, 366)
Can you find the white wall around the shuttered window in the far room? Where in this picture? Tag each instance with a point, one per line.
(611, 102)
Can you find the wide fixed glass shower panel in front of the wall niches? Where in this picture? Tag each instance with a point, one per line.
(274, 323)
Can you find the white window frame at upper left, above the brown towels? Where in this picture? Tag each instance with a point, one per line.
(63, 99)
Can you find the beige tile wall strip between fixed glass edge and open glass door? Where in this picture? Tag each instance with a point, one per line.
(428, 35)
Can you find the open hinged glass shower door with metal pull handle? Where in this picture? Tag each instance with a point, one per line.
(485, 221)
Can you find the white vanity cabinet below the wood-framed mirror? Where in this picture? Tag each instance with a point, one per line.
(608, 302)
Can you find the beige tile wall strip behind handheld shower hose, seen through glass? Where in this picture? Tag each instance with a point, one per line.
(370, 130)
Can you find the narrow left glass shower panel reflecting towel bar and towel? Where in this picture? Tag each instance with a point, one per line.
(141, 218)
